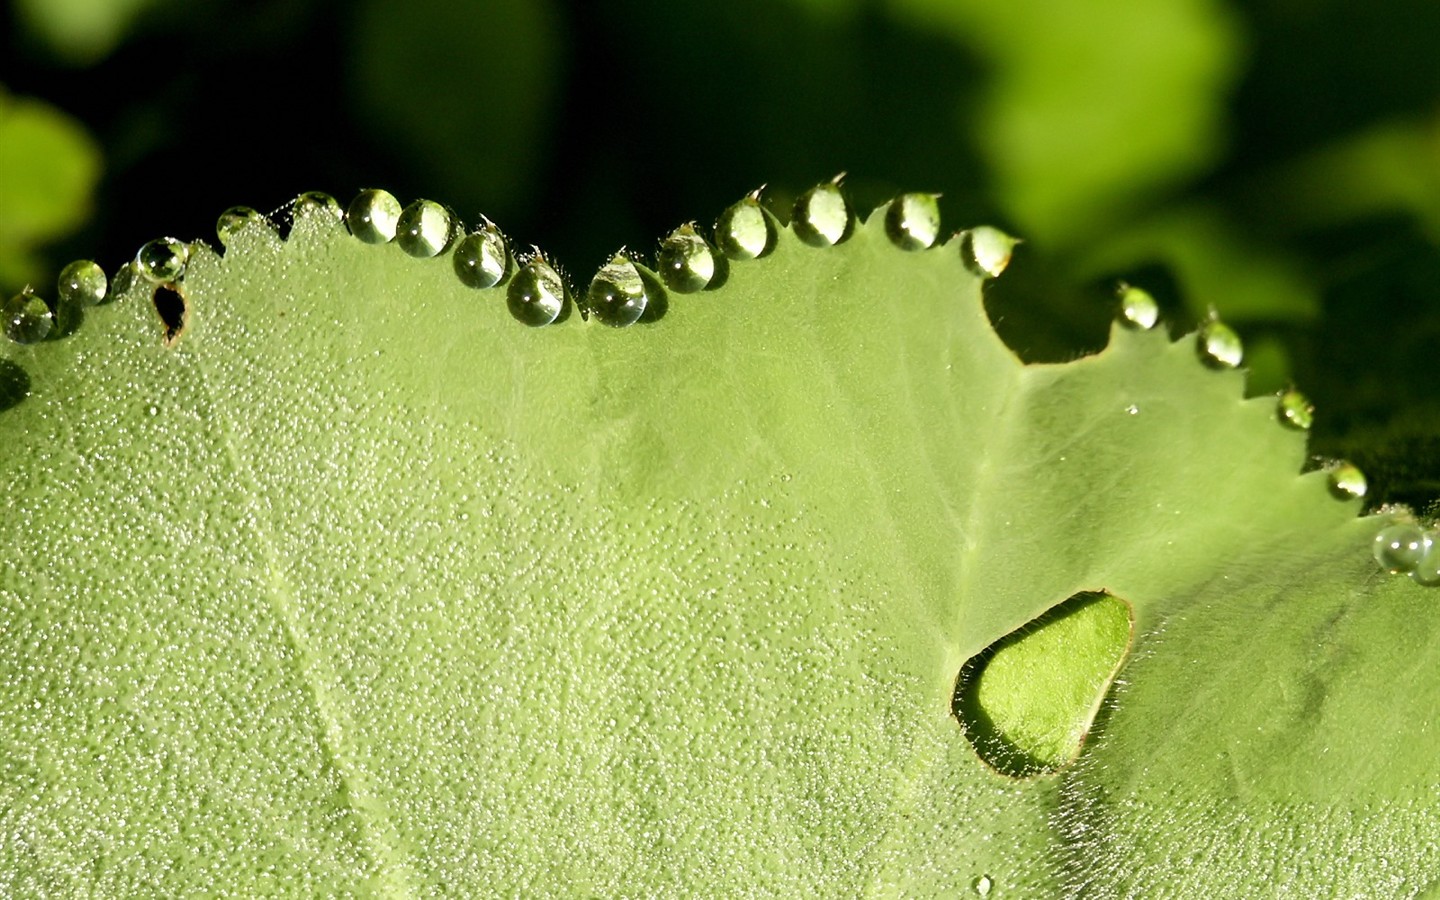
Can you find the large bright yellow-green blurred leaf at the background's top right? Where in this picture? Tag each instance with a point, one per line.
(1092, 107)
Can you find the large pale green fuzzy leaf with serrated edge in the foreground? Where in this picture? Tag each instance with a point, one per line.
(364, 588)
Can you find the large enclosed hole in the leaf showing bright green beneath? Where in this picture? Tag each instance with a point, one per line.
(1029, 701)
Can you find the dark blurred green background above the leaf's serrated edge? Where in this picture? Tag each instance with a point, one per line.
(1274, 161)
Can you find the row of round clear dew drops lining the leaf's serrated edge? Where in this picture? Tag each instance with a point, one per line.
(626, 292)
